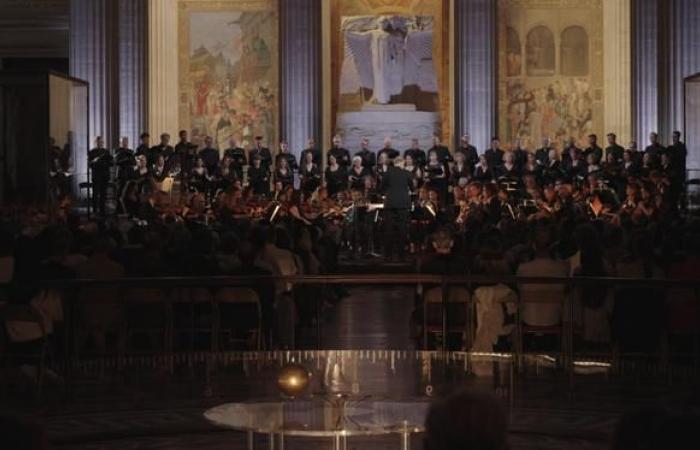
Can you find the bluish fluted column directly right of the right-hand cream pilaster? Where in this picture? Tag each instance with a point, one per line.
(645, 68)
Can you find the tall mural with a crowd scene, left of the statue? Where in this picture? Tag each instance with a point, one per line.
(228, 70)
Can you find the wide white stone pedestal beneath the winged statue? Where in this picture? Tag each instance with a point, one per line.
(376, 124)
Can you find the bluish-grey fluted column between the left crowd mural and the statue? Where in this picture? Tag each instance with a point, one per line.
(300, 72)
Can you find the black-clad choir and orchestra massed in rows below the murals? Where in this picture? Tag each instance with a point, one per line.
(457, 189)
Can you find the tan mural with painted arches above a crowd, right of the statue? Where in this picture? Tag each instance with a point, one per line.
(550, 70)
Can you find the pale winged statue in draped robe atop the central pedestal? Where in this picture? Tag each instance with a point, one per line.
(392, 56)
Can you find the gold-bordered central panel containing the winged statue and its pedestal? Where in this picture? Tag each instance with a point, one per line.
(389, 75)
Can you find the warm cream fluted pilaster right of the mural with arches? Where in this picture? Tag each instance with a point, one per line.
(617, 28)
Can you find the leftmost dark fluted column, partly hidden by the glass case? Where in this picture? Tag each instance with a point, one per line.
(93, 52)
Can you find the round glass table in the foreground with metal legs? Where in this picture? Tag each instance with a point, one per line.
(336, 417)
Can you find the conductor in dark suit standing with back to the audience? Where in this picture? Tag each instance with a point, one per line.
(397, 185)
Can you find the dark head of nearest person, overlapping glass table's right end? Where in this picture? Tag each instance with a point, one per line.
(466, 421)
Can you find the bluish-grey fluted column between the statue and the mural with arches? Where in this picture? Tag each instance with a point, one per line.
(475, 70)
